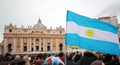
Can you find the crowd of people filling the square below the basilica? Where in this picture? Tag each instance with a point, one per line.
(70, 58)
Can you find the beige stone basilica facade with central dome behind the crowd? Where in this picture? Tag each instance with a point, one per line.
(33, 39)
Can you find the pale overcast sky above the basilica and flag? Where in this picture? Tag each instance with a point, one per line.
(51, 12)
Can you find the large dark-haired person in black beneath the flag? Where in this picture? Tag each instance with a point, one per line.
(87, 58)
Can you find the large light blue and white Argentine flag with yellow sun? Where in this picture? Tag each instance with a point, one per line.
(91, 34)
